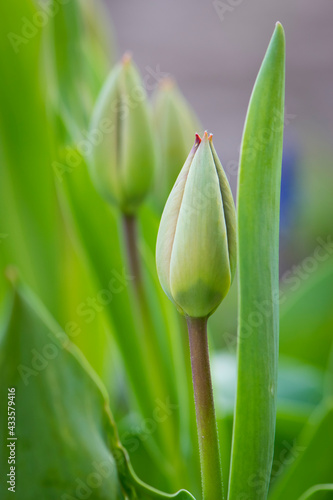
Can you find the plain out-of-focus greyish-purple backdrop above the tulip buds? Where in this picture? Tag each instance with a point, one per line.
(214, 50)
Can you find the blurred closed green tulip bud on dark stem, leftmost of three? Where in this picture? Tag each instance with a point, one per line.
(123, 156)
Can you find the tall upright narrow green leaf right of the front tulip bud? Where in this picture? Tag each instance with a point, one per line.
(258, 231)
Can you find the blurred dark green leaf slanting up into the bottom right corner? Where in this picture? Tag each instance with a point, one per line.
(311, 461)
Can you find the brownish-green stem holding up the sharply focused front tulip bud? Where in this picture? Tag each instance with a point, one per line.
(211, 474)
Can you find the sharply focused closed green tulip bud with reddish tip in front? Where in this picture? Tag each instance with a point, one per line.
(196, 242)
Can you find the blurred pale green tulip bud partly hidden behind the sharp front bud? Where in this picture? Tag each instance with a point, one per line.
(175, 124)
